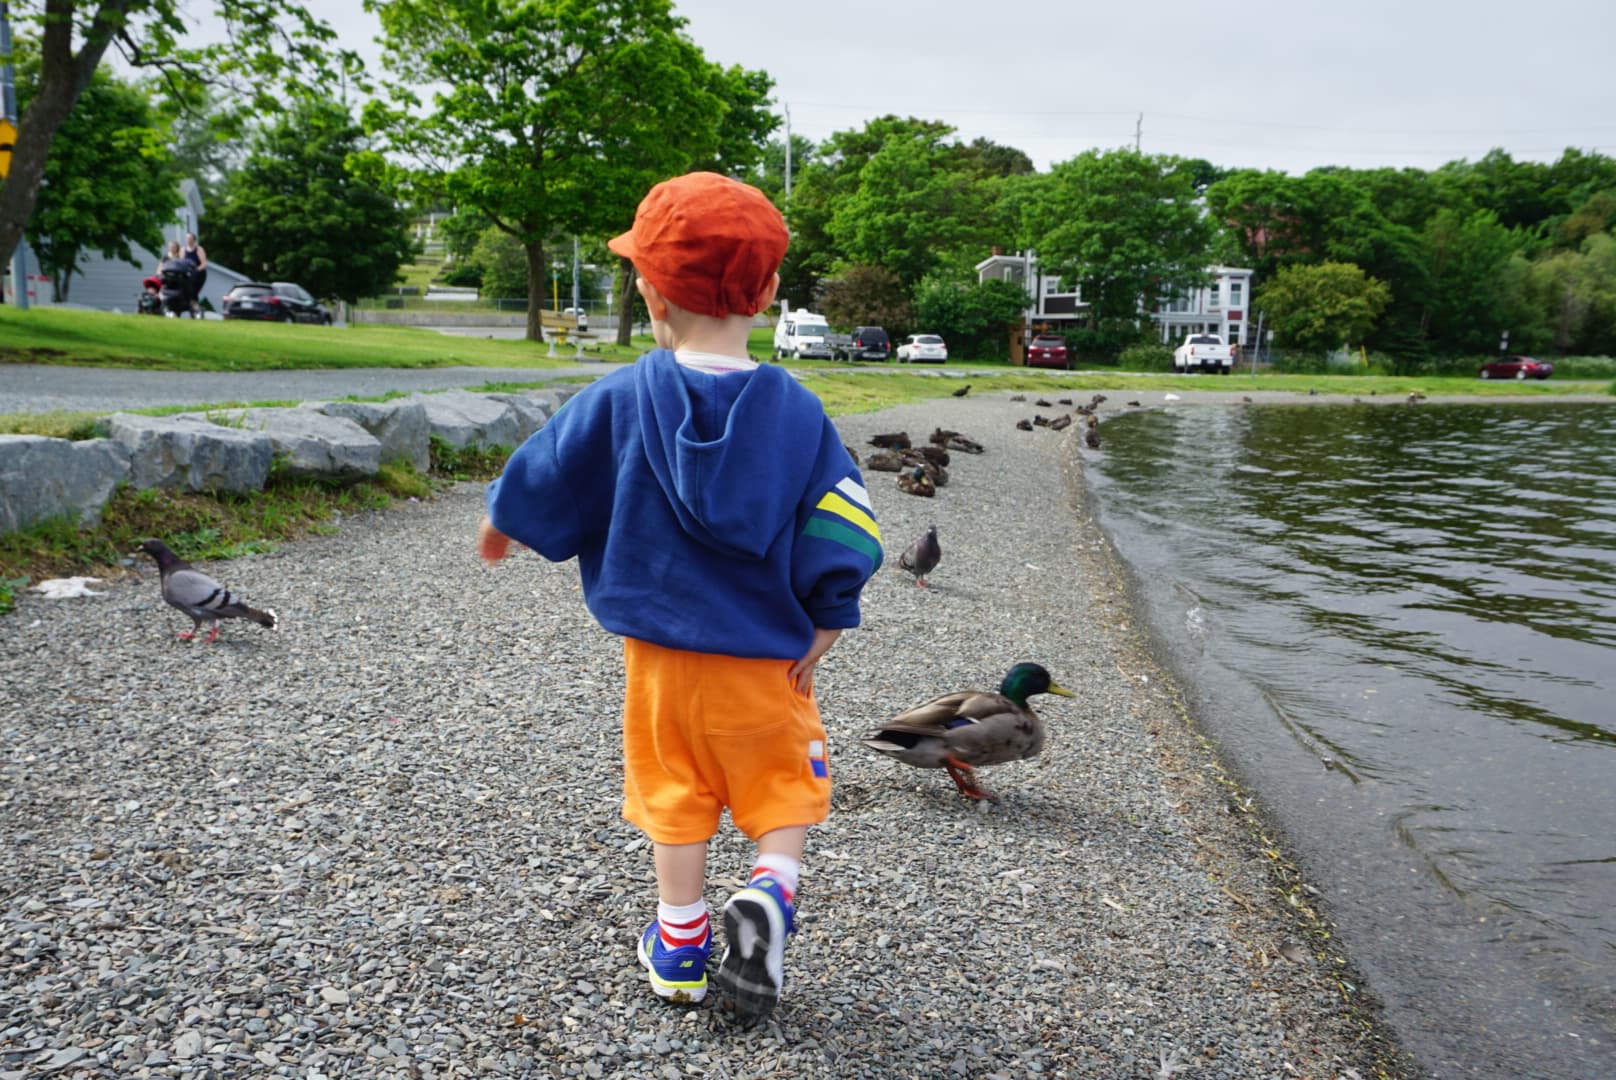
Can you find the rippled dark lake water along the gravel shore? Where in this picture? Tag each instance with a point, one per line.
(1400, 625)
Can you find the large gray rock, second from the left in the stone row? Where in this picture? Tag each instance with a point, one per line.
(190, 454)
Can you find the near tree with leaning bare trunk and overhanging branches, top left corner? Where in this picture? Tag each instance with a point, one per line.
(272, 53)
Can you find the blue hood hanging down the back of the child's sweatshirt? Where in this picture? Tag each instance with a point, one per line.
(731, 452)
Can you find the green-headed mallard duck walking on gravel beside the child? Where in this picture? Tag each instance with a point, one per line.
(961, 732)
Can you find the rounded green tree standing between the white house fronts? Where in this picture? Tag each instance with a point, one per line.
(1126, 227)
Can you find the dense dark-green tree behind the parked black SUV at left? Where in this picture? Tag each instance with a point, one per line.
(308, 208)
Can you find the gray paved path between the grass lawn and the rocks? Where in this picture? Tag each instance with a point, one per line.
(51, 387)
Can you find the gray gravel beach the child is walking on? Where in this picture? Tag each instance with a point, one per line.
(384, 840)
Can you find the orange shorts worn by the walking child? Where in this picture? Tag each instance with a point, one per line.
(702, 733)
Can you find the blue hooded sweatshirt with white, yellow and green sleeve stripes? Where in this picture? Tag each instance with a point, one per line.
(709, 513)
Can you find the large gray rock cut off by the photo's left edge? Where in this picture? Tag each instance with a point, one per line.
(53, 478)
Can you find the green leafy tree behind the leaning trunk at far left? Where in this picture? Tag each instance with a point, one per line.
(111, 182)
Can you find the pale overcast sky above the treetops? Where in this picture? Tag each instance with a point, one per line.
(1265, 85)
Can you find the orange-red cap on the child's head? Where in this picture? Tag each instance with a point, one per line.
(709, 243)
